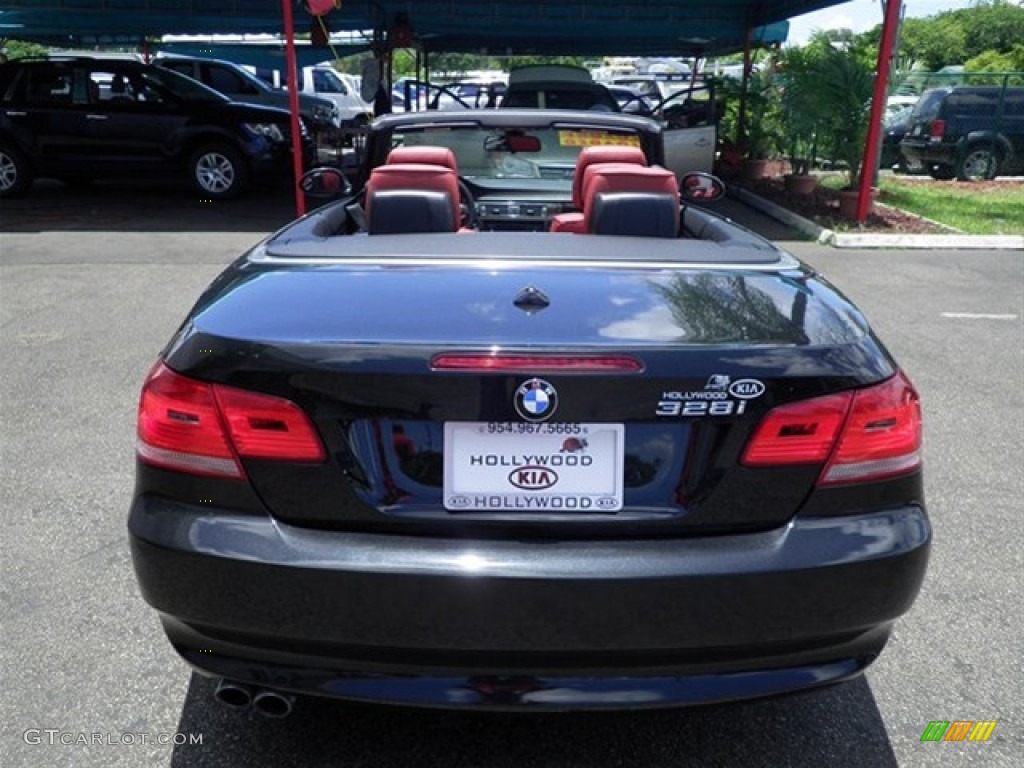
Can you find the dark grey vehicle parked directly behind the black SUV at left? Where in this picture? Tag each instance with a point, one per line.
(322, 115)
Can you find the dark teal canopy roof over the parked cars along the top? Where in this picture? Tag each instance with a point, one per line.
(564, 27)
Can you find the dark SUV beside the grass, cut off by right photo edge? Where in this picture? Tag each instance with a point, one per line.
(968, 133)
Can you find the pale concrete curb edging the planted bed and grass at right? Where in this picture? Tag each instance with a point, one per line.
(874, 240)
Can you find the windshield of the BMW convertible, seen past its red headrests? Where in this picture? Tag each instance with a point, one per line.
(497, 154)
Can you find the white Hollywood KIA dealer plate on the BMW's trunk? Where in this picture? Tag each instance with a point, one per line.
(513, 467)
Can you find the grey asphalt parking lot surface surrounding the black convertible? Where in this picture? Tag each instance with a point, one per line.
(94, 284)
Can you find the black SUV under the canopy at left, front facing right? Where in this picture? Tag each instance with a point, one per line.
(82, 119)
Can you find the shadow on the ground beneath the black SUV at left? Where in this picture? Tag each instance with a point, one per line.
(144, 206)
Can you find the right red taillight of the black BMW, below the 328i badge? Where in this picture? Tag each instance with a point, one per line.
(867, 435)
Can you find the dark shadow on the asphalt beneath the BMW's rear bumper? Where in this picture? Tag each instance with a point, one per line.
(840, 726)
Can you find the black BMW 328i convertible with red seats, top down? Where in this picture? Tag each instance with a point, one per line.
(636, 457)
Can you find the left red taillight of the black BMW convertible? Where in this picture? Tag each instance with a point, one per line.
(201, 429)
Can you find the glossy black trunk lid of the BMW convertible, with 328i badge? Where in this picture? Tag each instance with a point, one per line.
(366, 353)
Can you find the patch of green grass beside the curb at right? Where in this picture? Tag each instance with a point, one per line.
(975, 208)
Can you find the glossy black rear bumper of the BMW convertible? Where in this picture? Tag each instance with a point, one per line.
(525, 624)
